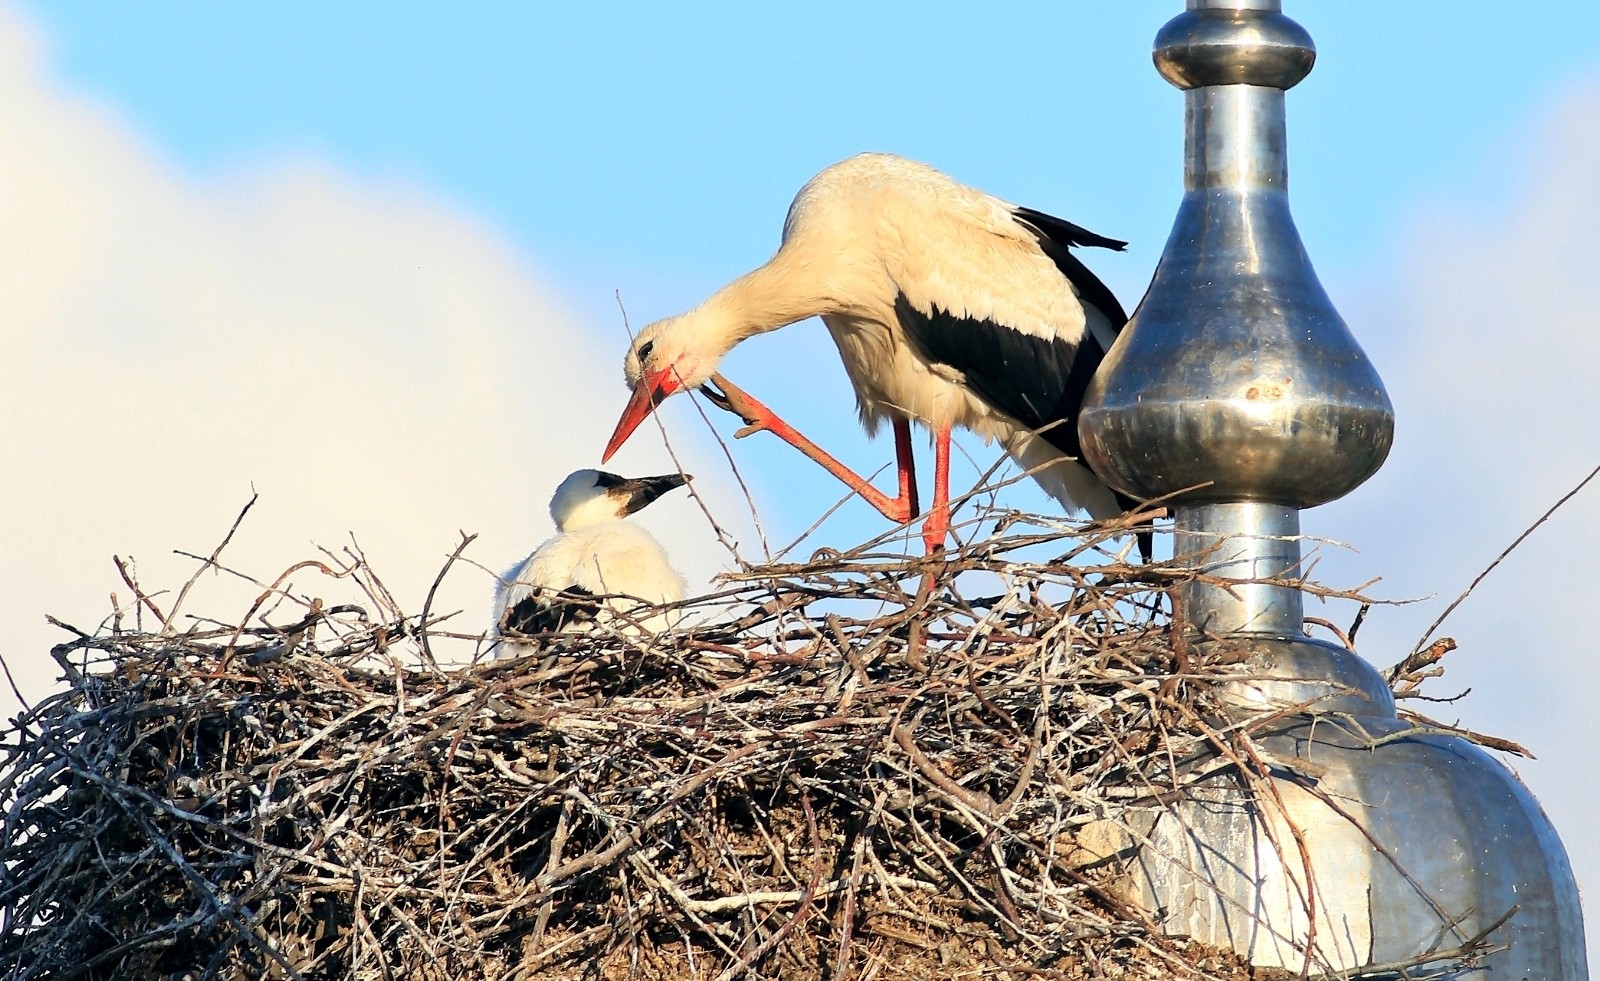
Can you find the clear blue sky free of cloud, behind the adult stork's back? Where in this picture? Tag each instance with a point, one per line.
(650, 151)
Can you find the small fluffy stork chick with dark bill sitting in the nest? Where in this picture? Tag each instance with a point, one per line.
(598, 569)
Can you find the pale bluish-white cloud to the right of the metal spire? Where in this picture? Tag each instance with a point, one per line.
(1487, 334)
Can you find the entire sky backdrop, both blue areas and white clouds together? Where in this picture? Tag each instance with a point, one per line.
(362, 258)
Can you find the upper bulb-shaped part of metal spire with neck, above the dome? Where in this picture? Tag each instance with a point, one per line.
(1236, 382)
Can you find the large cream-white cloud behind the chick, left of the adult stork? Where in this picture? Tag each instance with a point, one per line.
(369, 359)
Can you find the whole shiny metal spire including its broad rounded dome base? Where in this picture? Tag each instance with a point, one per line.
(1239, 394)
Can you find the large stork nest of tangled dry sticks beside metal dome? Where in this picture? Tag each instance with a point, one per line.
(825, 774)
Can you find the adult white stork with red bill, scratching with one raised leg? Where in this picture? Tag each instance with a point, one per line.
(950, 306)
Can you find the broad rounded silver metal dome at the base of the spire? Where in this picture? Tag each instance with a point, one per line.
(1414, 843)
